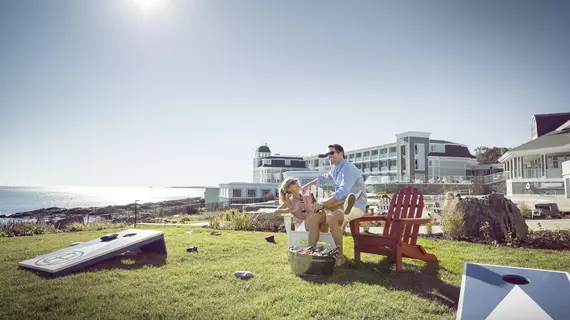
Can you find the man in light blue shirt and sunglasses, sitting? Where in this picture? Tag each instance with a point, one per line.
(348, 182)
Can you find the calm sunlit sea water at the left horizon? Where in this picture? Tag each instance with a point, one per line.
(19, 199)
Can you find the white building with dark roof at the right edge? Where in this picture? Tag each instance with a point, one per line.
(536, 166)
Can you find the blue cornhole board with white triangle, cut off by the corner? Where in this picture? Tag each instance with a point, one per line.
(501, 292)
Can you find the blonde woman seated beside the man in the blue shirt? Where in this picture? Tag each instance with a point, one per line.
(301, 207)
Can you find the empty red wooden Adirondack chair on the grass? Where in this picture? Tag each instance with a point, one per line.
(400, 231)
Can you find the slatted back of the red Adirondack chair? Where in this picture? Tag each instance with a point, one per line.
(407, 203)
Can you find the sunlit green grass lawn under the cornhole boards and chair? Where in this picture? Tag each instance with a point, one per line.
(201, 285)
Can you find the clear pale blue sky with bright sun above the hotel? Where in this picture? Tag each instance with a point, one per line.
(173, 92)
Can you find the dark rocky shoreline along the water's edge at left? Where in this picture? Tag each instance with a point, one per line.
(188, 203)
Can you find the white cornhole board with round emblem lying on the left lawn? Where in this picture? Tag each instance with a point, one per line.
(89, 253)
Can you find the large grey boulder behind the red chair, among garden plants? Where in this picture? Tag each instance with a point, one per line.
(493, 217)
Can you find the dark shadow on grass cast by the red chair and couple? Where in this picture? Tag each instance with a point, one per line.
(422, 281)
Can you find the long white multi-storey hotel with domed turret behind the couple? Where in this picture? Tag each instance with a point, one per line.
(412, 157)
